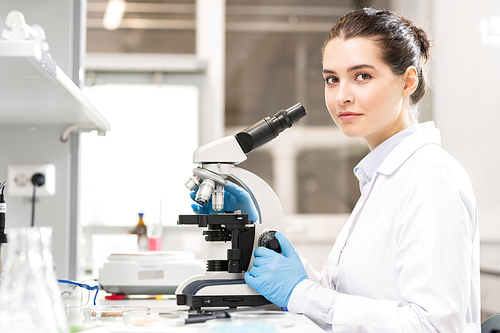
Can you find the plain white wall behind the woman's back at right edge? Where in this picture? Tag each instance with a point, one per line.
(466, 103)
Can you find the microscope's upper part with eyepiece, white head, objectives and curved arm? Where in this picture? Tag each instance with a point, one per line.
(220, 157)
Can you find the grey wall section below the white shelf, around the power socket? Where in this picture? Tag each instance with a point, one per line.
(22, 145)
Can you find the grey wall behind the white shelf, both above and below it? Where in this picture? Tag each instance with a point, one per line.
(23, 145)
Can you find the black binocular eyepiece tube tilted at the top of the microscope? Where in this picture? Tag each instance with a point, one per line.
(268, 128)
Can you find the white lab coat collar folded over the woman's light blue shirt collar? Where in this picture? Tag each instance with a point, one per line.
(426, 133)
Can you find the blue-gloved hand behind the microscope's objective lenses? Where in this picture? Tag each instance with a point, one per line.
(235, 198)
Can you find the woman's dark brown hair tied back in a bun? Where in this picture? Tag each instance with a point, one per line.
(402, 42)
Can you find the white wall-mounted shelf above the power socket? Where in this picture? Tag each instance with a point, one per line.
(35, 91)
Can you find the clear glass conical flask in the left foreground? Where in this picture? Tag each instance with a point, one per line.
(30, 299)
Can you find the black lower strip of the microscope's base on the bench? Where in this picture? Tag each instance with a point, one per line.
(231, 301)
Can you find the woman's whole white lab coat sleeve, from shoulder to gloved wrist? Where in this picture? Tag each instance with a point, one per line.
(436, 225)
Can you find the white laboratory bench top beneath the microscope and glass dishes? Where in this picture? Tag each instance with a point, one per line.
(81, 323)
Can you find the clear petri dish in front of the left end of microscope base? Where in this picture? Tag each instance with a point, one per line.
(154, 318)
